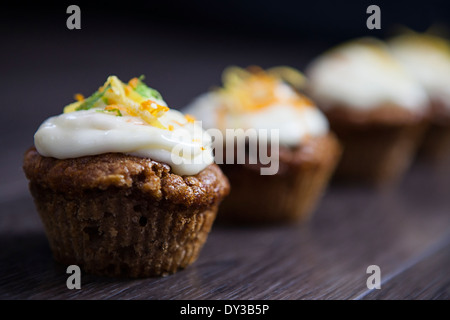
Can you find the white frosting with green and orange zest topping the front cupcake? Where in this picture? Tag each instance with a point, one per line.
(129, 118)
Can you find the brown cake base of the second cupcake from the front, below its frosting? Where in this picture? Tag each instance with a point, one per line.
(286, 197)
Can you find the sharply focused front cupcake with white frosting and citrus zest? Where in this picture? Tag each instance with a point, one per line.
(114, 197)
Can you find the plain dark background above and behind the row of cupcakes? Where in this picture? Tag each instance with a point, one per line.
(181, 46)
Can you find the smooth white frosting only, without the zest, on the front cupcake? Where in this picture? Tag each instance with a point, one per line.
(177, 141)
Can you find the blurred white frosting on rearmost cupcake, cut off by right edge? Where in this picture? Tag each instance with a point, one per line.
(427, 58)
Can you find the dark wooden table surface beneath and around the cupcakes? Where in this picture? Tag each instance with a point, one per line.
(406, 232)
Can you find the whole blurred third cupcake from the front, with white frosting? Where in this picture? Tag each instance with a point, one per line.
(376, 109)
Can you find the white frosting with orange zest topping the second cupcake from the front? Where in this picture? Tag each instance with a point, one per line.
(254, 98)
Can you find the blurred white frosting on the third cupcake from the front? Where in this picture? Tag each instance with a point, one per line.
(363, 75)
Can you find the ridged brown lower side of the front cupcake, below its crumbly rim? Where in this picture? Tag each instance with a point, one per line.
(120, 233)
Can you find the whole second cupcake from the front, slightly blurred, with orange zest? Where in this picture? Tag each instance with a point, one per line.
(257, 102)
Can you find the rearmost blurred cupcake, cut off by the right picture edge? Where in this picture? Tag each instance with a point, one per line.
(427, 59)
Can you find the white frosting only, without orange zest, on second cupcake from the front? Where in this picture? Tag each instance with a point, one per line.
(295, 121)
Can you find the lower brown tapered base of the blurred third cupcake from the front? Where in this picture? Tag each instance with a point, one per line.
(378, 155)
